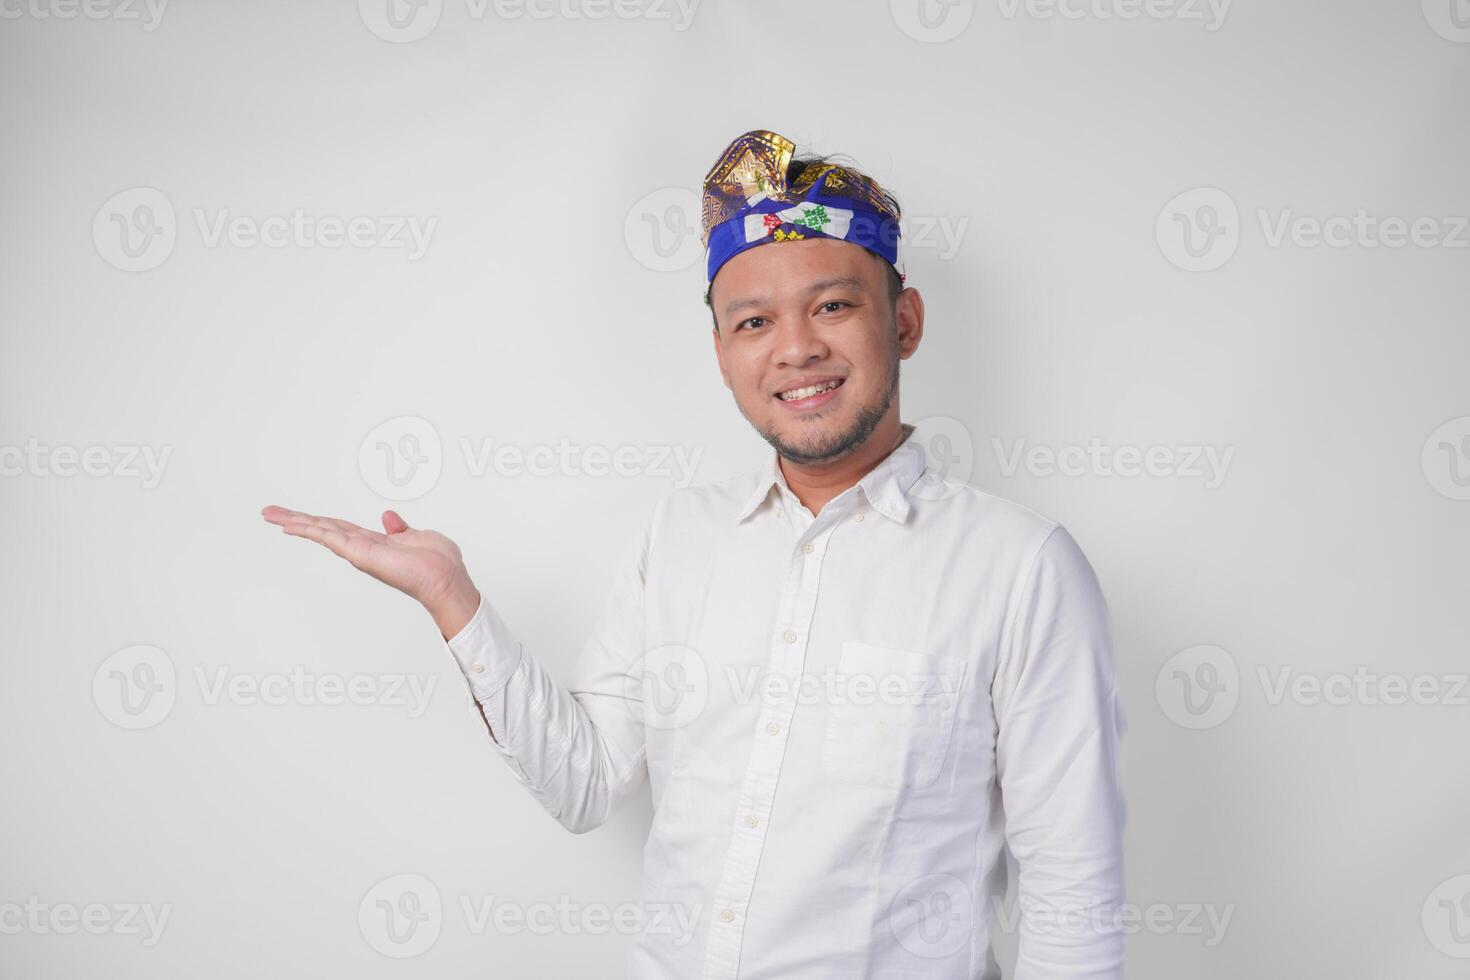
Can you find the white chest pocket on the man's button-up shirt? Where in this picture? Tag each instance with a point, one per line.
(892, 716)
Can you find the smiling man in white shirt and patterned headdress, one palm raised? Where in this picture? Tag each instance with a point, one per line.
(849, 681)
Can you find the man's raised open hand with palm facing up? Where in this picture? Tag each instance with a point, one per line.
(424, 565)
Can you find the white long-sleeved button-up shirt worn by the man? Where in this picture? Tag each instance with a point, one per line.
(843, 721)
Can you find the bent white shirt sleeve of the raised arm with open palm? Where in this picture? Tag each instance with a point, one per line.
(577, 749)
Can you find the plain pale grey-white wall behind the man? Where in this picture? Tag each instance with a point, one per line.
(558, 156)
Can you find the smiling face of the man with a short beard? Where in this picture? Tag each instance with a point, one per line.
(803, 315)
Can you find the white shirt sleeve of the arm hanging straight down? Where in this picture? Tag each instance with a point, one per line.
(1061, 724)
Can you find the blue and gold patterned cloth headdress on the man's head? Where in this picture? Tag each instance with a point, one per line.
(747, 203)
